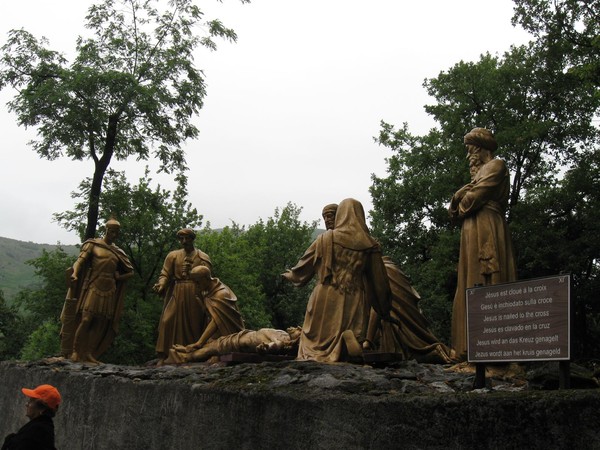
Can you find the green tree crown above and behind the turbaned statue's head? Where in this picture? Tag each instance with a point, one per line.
(539, 113)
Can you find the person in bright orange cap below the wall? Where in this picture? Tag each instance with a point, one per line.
(38, 433)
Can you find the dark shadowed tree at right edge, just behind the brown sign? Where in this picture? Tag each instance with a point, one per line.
(567, 215)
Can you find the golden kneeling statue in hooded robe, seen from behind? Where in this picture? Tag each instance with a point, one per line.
(351, 279)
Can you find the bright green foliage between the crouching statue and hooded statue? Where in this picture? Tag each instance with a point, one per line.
(251, 262)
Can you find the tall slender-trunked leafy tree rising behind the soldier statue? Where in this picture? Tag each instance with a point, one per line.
(131, 90)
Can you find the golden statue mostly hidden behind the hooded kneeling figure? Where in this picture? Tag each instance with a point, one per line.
(408, 334)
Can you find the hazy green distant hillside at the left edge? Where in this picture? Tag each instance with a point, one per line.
(14, 273)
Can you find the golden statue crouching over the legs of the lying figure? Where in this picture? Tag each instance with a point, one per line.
(221, 306)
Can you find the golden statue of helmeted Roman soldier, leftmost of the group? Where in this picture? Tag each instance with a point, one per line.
(95, 297)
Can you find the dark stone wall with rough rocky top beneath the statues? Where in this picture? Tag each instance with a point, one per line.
(295, 405)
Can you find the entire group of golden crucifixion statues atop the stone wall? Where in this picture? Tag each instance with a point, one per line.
(361, 304)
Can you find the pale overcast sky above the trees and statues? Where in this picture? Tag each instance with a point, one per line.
(292, 107)
